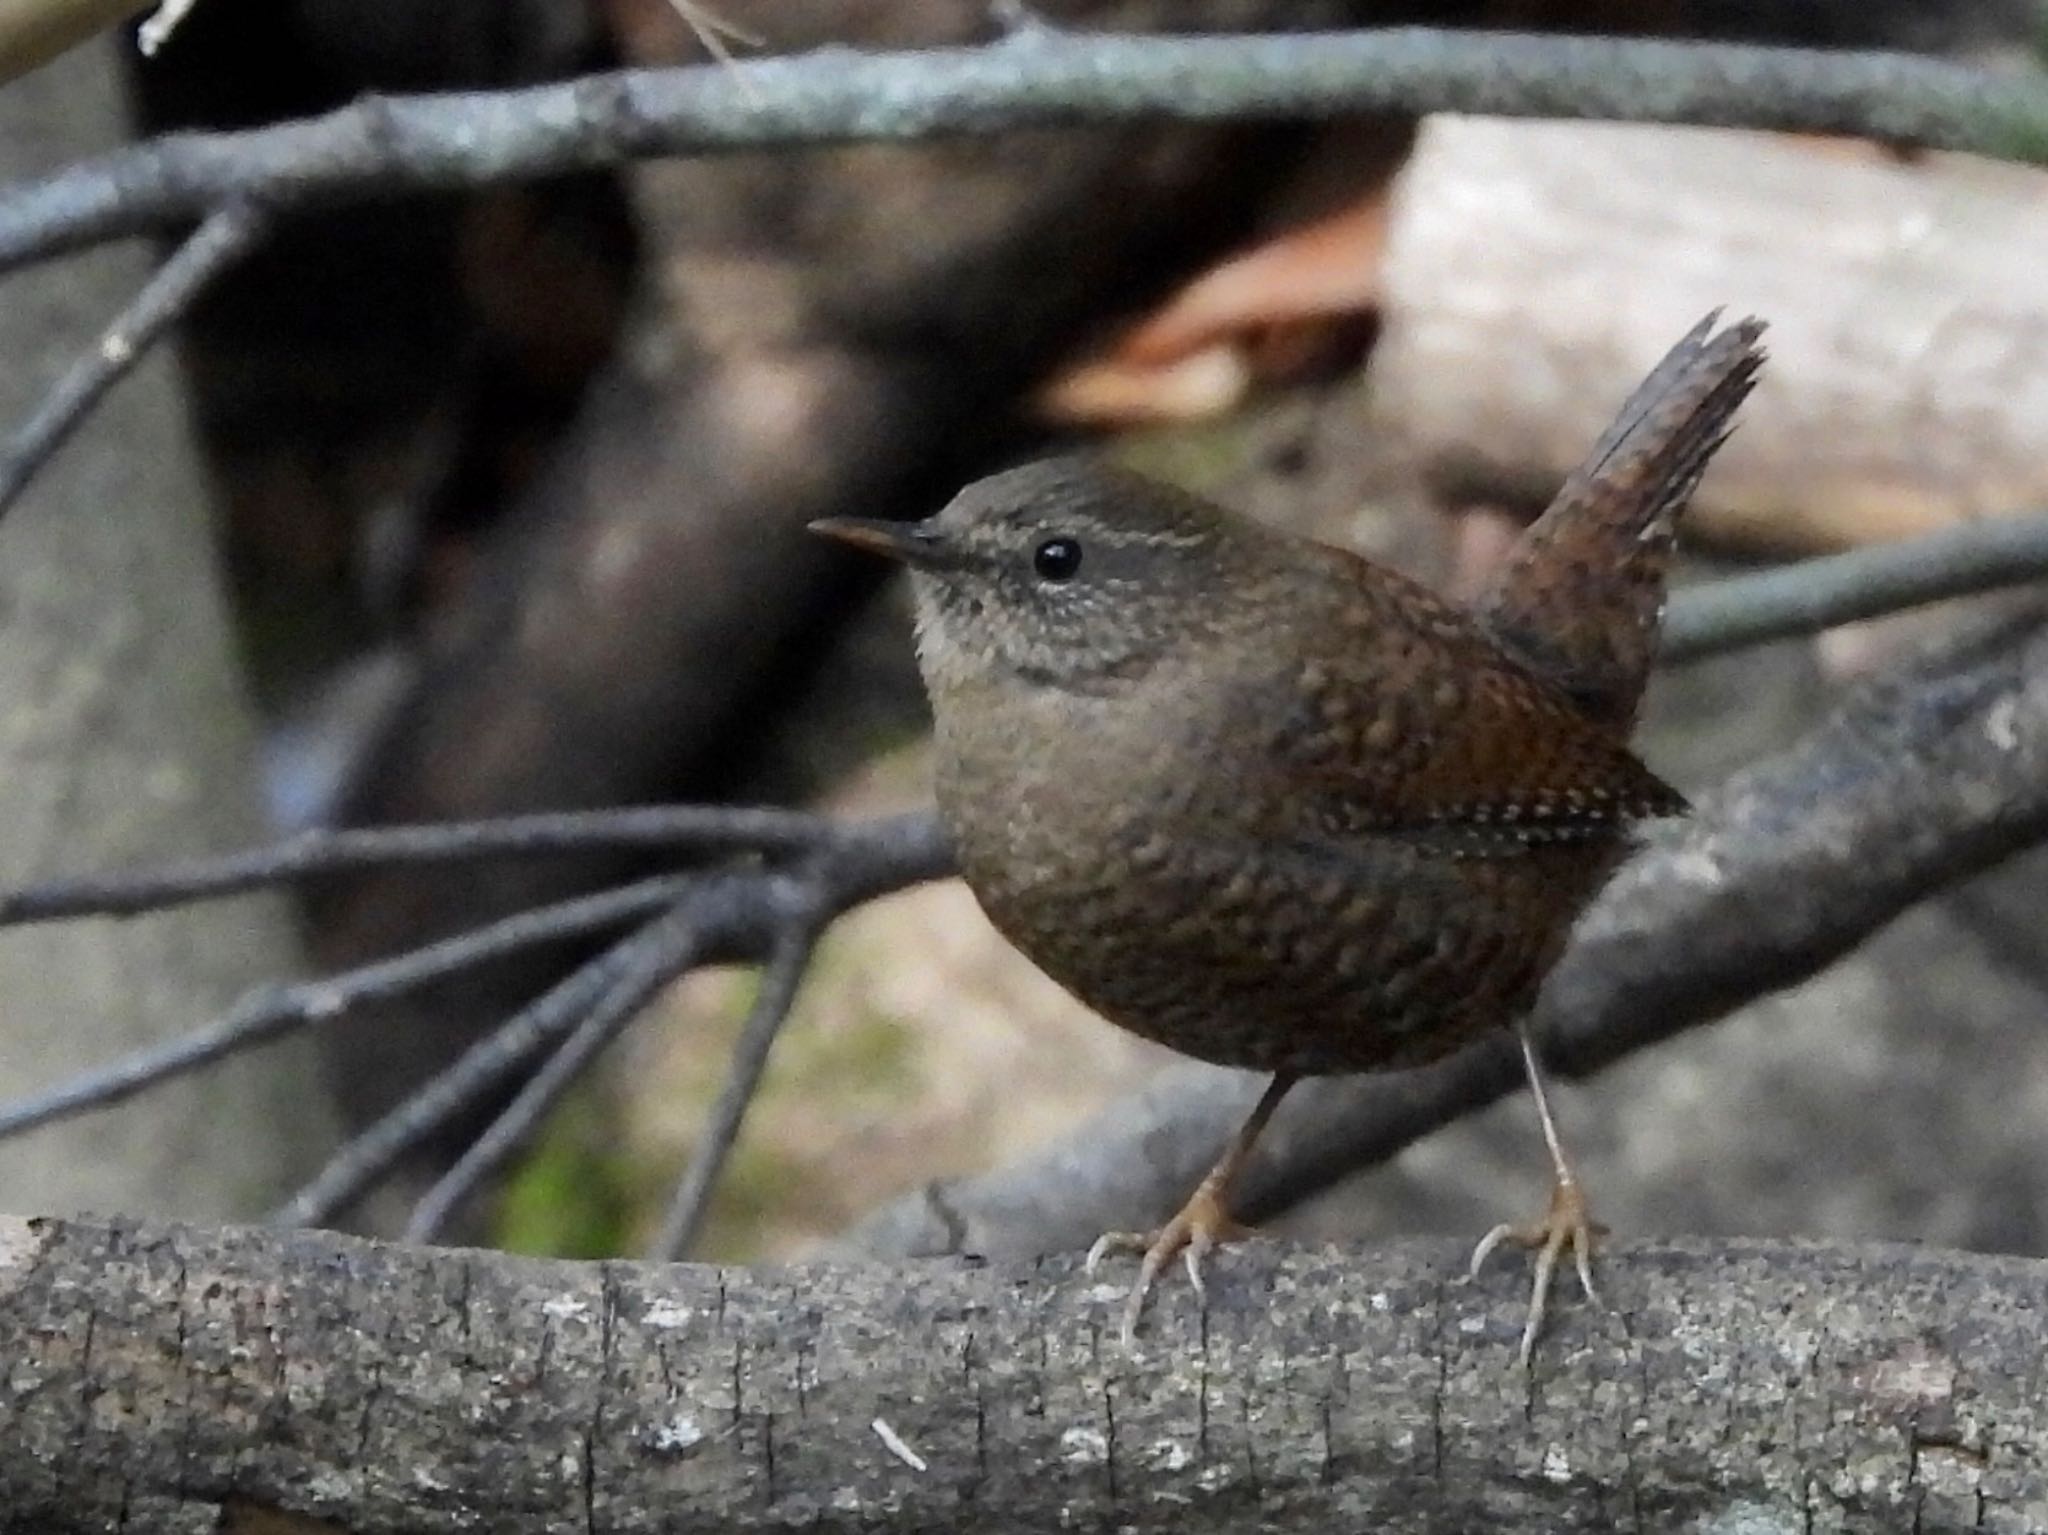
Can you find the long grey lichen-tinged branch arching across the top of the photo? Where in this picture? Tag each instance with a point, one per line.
(1029, 81)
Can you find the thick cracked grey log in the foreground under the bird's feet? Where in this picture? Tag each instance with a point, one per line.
(183, 1378)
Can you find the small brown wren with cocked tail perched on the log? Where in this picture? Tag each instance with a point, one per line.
(1279, 807)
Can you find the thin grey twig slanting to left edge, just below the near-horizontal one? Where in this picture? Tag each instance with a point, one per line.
(273, 1012)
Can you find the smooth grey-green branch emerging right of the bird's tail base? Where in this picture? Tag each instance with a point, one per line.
(1814, 595)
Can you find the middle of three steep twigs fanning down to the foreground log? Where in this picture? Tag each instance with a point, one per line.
(663, 953)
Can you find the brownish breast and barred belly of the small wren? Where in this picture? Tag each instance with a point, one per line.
(1205, 930)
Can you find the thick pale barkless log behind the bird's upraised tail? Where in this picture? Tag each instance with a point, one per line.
(1607, 240)
